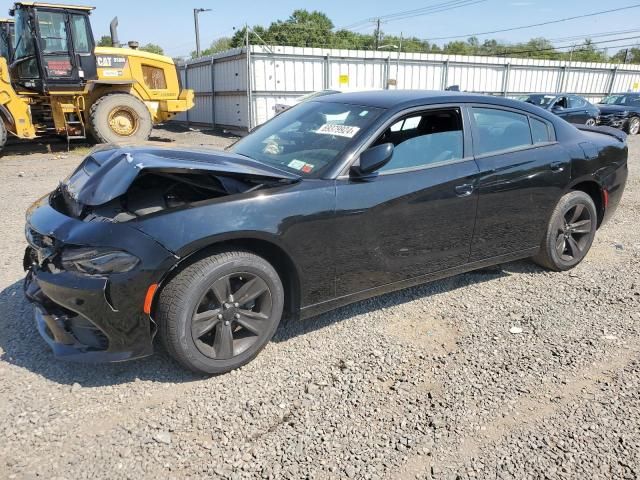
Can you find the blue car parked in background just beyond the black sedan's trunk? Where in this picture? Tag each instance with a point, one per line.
(572, 108)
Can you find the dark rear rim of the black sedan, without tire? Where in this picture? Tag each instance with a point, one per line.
(573, 232)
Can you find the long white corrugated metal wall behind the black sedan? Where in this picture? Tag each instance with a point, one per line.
(279, 74)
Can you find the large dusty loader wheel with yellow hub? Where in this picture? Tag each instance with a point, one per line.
(119, 117)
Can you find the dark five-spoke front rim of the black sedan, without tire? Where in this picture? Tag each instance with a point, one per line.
(234, 313)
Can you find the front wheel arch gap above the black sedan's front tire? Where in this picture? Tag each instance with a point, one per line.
(267, 248)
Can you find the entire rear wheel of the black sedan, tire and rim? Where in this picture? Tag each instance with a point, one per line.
(570, 233)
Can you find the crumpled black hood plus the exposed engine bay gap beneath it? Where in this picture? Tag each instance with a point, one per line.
(124, 184)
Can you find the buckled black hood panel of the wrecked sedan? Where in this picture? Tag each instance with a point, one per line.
(108, 172)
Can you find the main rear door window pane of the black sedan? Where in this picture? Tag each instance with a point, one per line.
(501, 130)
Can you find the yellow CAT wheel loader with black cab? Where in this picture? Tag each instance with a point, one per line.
(58, 82)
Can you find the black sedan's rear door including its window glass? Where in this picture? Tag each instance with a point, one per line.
(523, 172)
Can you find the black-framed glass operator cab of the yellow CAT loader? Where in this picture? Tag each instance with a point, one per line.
(53, 47)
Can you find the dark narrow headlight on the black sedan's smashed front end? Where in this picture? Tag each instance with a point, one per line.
(98, 260)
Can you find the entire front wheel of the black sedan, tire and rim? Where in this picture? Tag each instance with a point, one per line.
(195, 324)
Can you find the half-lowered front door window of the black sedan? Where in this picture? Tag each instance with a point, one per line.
(423, 139)
